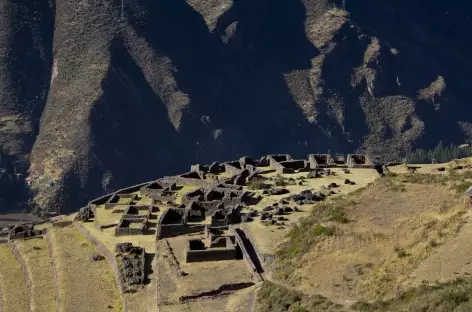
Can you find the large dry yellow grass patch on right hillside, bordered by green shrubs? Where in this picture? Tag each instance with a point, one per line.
(391, 233)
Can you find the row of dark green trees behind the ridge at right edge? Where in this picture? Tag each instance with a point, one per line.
(440, 154)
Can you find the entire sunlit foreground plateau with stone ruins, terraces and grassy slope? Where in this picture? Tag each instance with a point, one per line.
(274, 234)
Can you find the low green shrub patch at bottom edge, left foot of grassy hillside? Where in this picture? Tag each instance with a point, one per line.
(274, 298)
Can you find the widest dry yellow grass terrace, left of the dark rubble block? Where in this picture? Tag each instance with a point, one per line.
(84, 285)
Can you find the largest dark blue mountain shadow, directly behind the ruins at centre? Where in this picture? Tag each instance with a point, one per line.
(240, 85)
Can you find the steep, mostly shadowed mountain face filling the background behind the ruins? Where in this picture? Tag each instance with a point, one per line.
(112, 95)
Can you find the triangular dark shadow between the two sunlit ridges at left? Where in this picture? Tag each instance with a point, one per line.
(132, 136)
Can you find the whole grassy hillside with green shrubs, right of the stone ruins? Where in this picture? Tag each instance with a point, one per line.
(399, 244)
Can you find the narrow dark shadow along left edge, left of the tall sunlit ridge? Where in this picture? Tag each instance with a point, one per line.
(31, 58)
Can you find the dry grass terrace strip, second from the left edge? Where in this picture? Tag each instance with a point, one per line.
(40, 270)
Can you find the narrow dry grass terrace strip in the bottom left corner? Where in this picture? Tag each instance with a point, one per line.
(12, 283)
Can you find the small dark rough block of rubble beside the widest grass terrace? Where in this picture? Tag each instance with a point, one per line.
(131, 263)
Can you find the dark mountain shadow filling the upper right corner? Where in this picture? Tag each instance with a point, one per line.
(432, 38)
